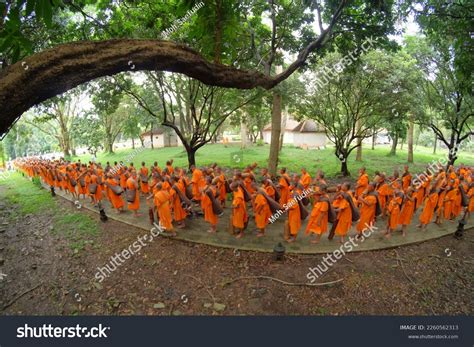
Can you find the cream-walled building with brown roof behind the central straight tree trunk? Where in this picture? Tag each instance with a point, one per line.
(304, 134)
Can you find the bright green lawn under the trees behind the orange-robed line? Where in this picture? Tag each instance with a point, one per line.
(290, 157)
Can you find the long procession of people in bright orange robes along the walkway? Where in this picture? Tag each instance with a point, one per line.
(173, 194)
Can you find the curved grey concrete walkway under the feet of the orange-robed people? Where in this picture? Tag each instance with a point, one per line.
(196, 231)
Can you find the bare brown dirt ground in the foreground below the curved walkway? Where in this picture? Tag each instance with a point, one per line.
(45, 276)
